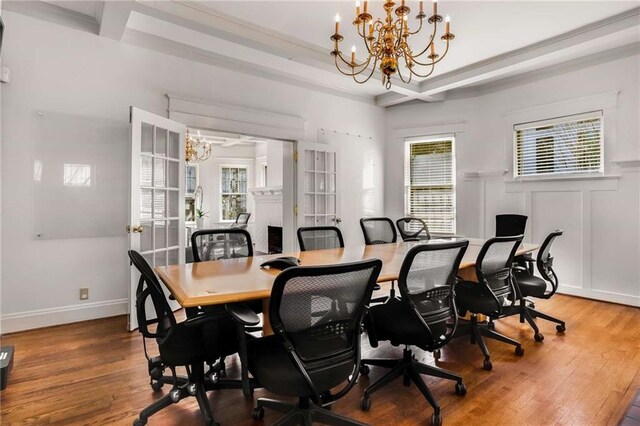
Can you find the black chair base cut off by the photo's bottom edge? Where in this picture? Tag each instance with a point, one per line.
(304, 412)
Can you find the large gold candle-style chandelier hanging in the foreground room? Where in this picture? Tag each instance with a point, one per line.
(387, 42)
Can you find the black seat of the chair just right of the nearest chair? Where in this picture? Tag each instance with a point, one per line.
(393, 321)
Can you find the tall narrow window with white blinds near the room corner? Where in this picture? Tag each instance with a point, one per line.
(429, 175)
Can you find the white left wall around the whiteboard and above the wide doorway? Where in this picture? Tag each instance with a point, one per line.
(56, 68)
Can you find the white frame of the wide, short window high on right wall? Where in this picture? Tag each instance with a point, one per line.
(600, 114)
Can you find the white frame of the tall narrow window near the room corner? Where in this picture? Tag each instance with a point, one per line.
(407, 177)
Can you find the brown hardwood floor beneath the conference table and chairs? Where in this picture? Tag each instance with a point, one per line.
(94, 372)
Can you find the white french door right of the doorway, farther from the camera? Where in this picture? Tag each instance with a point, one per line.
(318, 192)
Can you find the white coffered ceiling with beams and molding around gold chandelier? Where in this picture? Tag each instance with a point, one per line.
(289, 40)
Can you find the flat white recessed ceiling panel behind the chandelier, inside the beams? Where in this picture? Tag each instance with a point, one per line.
(483, 29)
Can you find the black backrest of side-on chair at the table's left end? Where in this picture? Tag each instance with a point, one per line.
(149, 286)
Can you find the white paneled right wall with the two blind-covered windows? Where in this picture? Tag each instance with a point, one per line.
(598, 255)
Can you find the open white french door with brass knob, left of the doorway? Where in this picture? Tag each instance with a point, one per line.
(156, 222)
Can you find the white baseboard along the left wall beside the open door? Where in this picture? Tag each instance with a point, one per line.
(28, 320)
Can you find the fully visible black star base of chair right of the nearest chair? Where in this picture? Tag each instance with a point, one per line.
(410, 370)
